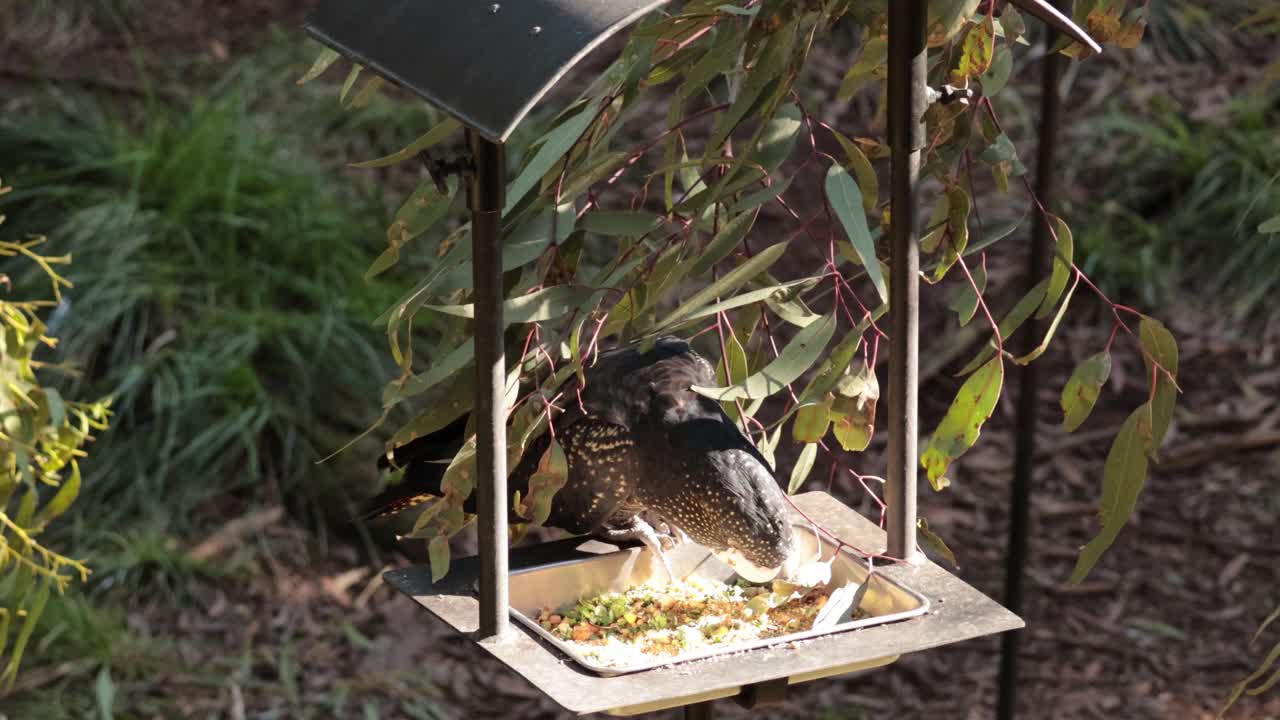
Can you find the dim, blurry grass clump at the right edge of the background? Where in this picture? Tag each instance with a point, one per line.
(1182, 208)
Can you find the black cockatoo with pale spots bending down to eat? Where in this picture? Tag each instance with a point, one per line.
(639, 441)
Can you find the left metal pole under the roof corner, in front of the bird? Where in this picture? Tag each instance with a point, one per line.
(486, 198)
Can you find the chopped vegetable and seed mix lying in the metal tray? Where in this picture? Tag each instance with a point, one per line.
(655, 622)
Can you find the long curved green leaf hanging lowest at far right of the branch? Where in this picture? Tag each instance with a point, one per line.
(1123, 477)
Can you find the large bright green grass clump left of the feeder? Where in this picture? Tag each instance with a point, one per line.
(218, 297)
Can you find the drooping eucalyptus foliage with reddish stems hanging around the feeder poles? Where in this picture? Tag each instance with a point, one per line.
(621, 231)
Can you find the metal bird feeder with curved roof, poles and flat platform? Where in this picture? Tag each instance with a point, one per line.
(488, 65)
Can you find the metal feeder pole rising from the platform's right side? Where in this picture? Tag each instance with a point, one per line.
(907, 103)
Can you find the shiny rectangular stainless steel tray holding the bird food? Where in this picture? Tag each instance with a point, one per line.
(557, 585)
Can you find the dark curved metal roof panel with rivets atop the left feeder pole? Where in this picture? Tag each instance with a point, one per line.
(487, 63)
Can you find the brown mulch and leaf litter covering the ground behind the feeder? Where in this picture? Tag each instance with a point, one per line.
(1159, 631)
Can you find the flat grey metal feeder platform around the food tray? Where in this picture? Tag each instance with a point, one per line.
(957, 613)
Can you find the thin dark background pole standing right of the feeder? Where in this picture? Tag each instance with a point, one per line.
(1028, 385)
